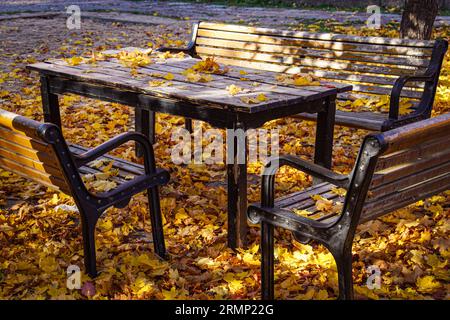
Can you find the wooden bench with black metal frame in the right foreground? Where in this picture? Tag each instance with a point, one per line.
(394, 169)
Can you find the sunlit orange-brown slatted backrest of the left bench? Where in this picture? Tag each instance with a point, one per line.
(25, 151)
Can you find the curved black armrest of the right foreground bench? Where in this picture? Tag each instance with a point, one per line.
(315, 170)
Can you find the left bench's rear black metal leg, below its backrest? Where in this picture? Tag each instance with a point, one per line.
(88, 230)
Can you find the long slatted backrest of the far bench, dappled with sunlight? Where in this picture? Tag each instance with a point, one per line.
(370, 64)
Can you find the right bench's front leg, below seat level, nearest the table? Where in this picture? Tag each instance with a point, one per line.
(267, 266)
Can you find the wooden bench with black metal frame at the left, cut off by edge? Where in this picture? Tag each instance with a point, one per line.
(39, 152)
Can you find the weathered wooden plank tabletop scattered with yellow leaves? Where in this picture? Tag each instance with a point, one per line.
(200, 93)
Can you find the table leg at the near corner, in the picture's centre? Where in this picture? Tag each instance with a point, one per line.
(237, 188)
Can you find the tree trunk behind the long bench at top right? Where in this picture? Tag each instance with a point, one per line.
(418, 19)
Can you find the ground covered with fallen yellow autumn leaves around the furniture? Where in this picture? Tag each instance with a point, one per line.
(40, 232)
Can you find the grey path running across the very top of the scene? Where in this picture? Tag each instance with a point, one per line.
(197, 11)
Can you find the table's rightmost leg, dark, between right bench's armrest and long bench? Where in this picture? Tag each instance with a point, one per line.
(324, 134)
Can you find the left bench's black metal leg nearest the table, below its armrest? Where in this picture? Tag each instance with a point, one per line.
(156, 220)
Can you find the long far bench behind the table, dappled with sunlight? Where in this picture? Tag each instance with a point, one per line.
(399, 68)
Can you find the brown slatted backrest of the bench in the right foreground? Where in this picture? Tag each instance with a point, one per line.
(401, 166)
